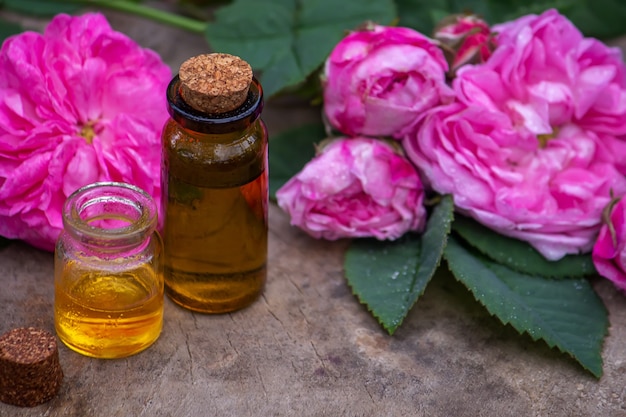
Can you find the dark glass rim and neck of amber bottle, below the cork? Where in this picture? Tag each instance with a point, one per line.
(237, 120)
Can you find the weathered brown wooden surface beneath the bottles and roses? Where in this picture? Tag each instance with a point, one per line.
(307, 347)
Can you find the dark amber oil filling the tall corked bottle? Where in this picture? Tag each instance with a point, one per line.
(216, 244)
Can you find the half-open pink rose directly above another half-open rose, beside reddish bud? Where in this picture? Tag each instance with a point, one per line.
(377, 81)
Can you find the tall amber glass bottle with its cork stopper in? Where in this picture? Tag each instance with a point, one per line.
(215, 183)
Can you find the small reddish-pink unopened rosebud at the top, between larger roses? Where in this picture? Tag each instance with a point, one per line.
(465, 39)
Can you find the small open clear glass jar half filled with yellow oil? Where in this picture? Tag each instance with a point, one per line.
(109, 272)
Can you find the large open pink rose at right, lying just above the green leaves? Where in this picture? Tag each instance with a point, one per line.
(549, 195)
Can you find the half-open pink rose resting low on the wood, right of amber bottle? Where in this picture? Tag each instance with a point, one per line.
(357, 187)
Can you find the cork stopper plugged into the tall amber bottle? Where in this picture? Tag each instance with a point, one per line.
(215, 83)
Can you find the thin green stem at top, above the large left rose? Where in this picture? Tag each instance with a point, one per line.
(151, 13)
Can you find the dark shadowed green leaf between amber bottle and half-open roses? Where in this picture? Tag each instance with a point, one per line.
(290, 151)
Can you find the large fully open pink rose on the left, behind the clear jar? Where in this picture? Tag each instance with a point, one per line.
(80, 103)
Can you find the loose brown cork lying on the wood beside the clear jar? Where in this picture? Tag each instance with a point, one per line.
(30, 372)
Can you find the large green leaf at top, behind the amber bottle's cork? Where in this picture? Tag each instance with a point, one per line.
(286, 40)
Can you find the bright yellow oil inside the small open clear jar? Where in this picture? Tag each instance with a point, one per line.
(108, 311)
